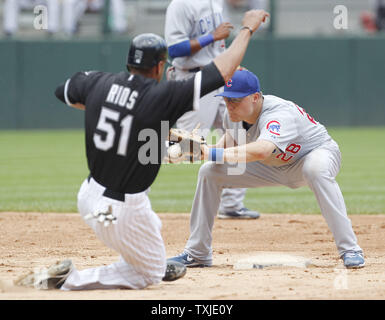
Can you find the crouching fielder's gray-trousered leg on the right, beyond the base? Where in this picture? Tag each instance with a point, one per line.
(320, 167)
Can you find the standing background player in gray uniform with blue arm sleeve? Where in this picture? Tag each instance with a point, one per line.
(195, 31)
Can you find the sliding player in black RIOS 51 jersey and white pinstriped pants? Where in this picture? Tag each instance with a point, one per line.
(120, 111)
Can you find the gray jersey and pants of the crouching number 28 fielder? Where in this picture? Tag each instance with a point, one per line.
(305, 155)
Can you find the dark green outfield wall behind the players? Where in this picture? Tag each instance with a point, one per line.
(340, 81)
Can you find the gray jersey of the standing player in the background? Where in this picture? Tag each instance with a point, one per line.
(190, 19)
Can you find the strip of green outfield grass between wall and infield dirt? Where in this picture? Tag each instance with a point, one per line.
(42, 171)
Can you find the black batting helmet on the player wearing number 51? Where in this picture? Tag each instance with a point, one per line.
(146, 51)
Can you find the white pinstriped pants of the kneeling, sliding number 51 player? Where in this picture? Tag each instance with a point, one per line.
(136, 237)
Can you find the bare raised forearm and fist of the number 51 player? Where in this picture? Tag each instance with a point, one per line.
(228, 61)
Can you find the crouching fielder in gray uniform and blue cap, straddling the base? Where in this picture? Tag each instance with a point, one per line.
(279, 144)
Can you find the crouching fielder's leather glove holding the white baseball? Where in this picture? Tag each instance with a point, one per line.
(184, 146)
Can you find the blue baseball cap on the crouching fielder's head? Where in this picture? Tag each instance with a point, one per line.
(242, 84)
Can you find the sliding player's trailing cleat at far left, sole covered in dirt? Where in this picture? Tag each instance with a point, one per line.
(46, 279)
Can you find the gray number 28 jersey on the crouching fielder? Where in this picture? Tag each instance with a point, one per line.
(288, 126)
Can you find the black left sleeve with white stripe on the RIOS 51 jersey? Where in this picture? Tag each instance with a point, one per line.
(76, 89)
